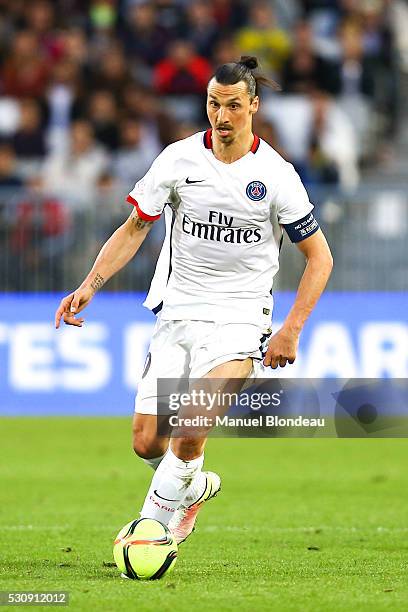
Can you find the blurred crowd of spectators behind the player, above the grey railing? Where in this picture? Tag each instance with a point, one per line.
(92, 90)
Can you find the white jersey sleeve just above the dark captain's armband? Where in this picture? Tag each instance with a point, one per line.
(291, 199)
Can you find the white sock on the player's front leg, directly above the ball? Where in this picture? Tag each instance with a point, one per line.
(169, 486)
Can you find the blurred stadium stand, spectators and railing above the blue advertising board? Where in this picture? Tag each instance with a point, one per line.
(91, 91)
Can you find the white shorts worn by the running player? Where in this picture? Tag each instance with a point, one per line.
(190, 349)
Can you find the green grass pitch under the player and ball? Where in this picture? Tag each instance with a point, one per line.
(299, 524)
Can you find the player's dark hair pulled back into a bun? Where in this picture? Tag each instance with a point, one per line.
(243, 70)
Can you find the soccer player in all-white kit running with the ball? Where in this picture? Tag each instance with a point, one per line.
(227, 197)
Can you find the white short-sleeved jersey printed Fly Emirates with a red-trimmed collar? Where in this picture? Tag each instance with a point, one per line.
(223, 229)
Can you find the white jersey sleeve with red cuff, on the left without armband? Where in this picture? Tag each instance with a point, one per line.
(152, 192)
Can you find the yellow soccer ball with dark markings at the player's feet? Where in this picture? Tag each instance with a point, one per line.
(145, 549)
